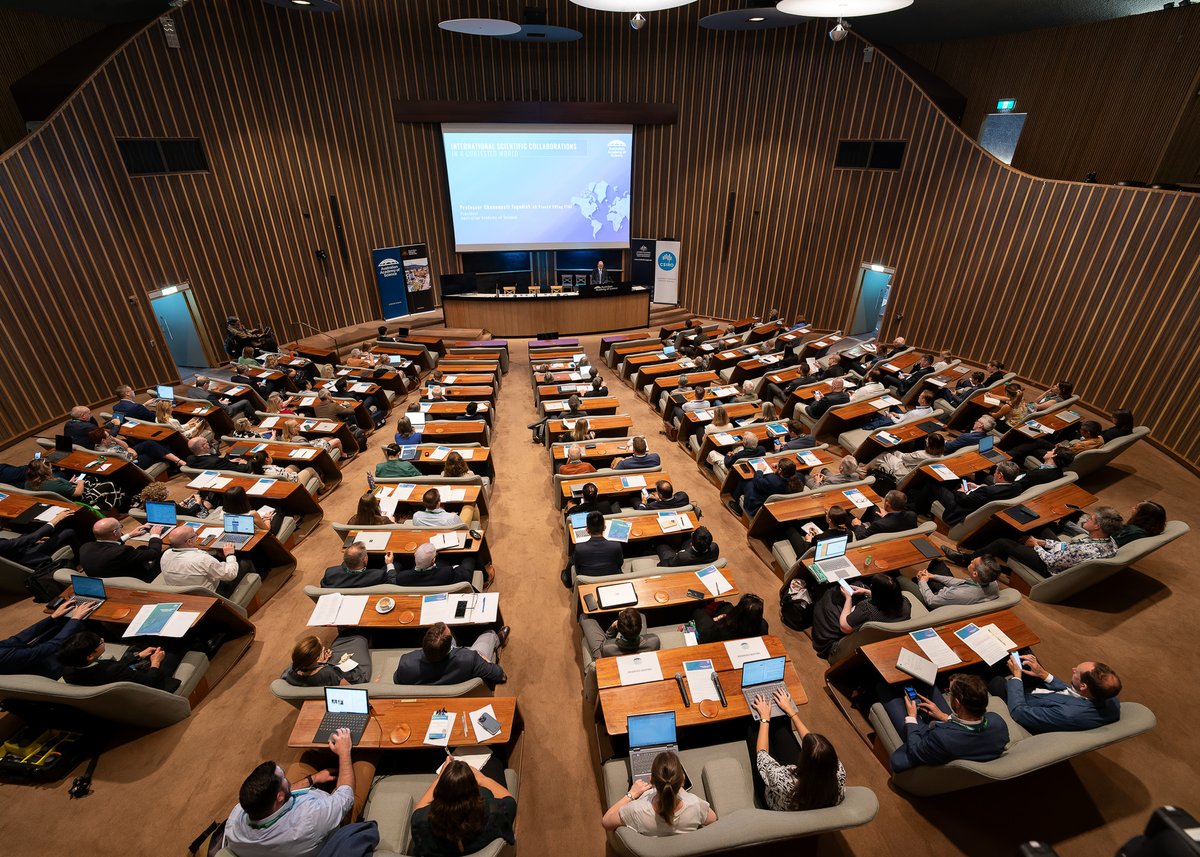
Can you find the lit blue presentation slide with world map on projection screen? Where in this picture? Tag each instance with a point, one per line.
(539, 187)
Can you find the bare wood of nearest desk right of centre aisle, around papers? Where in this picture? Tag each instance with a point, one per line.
(619, 704)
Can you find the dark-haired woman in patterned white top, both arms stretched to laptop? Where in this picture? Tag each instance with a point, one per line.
(791, 777)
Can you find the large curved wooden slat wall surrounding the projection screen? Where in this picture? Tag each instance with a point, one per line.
(1093, 283)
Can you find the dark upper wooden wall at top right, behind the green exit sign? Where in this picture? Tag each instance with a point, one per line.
(1102, 98)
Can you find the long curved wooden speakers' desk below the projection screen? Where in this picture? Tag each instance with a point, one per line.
(525, 315)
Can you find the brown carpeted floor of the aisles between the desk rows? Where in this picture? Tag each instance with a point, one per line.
(155, 792)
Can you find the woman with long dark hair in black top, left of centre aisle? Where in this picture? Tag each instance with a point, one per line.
(463, 812)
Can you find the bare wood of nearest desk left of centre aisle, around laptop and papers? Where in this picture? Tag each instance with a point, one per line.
(413, 715)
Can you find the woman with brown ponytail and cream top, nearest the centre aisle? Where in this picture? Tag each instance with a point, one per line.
(662, 807)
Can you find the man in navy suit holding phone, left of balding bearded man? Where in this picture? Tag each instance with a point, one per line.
(959, 729)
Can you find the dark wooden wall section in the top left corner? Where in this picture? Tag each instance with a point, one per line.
(31, 40)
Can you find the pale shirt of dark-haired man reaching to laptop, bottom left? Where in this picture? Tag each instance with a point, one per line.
(298, 830)
